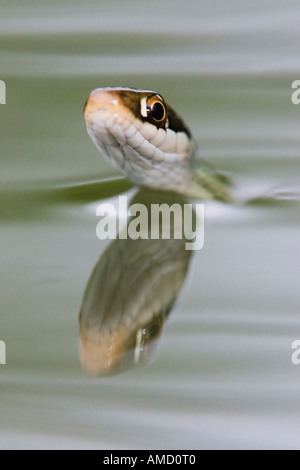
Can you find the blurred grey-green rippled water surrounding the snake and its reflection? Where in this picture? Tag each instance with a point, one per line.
(223, 377)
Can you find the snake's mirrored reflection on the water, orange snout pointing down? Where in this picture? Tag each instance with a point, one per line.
(130, 293)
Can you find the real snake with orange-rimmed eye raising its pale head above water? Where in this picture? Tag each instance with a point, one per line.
(144, 138)
